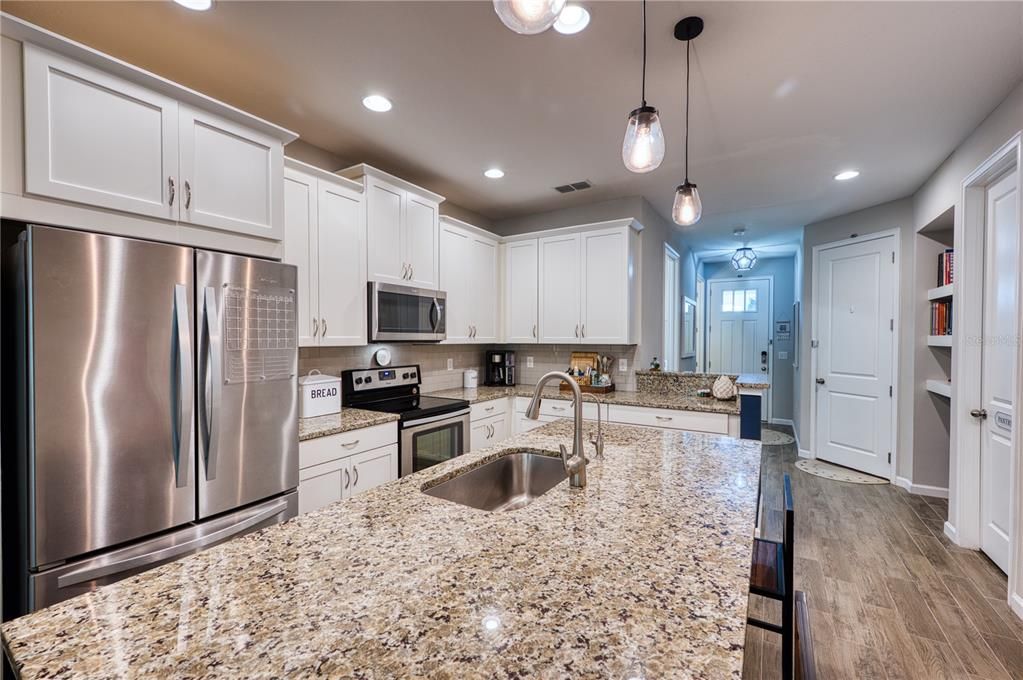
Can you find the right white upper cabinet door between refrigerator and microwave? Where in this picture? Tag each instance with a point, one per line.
(342, 240)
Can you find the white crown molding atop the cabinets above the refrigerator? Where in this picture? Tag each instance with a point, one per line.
(25, 32)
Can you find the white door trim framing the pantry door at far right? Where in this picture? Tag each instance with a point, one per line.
(964, 526)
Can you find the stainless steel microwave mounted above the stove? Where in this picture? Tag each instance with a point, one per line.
(403, 313)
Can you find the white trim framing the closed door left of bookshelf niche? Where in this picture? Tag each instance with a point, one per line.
(809, 388)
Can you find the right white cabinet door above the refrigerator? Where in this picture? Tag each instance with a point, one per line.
(232, 176)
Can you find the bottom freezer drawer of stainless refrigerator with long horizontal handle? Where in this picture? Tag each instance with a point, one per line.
(76, 578)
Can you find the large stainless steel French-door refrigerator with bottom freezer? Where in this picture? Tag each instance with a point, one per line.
(158, 409)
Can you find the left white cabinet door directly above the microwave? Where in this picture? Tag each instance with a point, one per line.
(385, 209)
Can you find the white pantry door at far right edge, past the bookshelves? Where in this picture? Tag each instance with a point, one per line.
(1001, 271)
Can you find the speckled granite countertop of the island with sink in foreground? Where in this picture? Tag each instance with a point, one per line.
(643, 574)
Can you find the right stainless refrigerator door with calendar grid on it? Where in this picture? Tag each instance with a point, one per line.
(248, 364)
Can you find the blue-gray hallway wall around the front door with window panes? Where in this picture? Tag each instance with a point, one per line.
(783, 270)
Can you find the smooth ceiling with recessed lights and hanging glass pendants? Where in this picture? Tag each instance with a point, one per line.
(784, 95)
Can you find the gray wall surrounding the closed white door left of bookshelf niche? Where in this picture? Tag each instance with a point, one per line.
(895, 215)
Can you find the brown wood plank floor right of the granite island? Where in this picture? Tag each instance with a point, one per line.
(889, 596)
